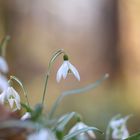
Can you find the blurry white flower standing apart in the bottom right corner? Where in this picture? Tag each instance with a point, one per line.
(119, 129)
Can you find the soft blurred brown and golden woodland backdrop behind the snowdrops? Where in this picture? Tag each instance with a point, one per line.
(101, 36)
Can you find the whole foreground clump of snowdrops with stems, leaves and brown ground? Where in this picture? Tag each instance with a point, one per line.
(19, 120)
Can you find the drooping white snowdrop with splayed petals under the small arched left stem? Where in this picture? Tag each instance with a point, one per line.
(11, 96)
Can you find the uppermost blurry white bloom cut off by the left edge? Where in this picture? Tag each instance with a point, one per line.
(3, 65)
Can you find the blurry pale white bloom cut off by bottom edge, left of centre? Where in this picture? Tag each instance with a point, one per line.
(43, 134)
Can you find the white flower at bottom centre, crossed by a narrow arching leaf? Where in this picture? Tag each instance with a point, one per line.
(85, 135)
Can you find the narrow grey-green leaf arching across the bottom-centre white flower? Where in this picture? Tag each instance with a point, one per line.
(72, 135)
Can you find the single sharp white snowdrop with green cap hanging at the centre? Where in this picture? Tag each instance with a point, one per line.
(65, 68)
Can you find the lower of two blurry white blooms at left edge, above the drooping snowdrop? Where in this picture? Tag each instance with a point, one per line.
(3, 83)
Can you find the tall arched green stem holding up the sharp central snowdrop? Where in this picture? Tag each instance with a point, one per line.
(51, 62)
